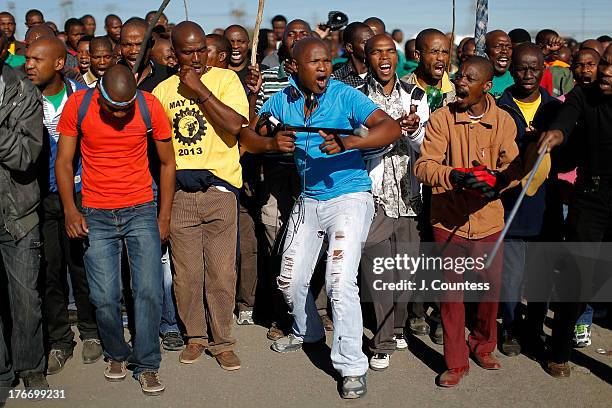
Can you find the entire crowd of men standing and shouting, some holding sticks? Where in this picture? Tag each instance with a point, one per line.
(177, 184)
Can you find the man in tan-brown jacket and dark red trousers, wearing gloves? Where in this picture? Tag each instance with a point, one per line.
(468, 156)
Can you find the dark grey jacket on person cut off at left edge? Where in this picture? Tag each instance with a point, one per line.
(21, 141)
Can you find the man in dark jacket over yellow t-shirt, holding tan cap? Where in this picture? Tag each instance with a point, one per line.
(533, 110)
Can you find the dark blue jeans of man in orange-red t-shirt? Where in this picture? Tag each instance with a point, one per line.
(137, 227)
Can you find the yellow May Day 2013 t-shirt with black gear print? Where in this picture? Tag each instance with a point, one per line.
(198, 144)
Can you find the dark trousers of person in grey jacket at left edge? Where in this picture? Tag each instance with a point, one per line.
(21, 261)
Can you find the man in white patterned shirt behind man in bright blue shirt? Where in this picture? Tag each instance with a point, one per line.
(396, 192)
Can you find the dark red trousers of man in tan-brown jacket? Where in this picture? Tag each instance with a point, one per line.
(483, 335)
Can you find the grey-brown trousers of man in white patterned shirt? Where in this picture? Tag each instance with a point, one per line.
(386, 238)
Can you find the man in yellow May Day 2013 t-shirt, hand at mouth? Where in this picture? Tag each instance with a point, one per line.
(207, 108)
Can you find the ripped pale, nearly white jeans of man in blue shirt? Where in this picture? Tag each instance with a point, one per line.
(346, 221)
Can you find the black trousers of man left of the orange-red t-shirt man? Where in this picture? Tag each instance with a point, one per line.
(61, 252)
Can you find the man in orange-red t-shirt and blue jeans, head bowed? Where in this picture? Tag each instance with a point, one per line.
(118, 207)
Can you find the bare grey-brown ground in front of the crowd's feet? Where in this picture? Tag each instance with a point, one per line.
(301, 379)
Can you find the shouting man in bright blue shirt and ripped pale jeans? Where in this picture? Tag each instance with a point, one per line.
(335, 202)
